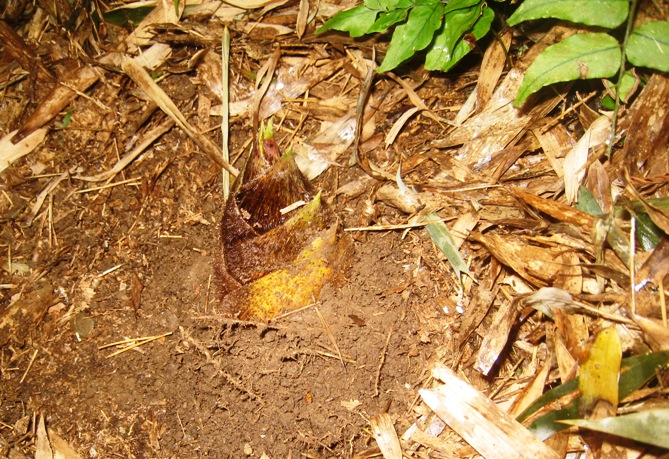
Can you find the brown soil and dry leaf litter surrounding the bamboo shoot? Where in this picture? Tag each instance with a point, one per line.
(112, 331)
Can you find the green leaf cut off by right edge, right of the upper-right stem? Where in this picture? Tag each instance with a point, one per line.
(648, 46)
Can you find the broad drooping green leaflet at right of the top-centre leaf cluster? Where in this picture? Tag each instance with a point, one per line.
(456, 24)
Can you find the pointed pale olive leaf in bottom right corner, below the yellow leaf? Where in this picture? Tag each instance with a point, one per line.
(650, 426)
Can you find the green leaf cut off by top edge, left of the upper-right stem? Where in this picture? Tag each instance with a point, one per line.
(602, 13)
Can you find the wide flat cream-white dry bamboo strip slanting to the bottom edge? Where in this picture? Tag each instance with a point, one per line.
(492, 432)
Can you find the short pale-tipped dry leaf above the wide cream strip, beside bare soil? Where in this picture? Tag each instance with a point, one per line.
(495, 337)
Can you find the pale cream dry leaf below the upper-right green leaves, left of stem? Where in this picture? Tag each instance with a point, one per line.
(576, 160)
